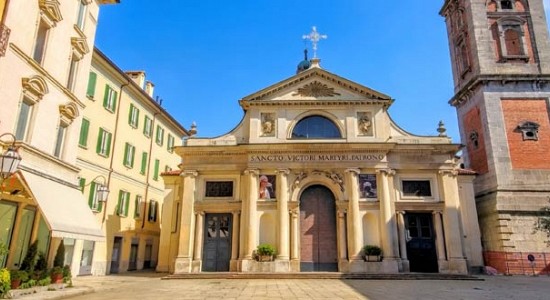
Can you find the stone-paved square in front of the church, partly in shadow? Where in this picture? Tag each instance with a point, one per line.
(150, 286)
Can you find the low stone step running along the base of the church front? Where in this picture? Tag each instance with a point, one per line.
(322, 275)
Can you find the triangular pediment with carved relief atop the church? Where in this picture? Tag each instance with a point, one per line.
(315, 85)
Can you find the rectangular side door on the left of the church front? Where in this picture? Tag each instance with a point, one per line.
(217, 243)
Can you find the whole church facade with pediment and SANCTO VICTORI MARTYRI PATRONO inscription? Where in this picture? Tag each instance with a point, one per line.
(318, 170)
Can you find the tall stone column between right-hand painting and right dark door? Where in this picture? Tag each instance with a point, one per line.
(387, 219)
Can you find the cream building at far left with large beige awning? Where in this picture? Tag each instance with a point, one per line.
(44, 61)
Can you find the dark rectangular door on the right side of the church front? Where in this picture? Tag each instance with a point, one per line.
(421, 243)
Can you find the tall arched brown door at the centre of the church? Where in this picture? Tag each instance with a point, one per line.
(318, 245)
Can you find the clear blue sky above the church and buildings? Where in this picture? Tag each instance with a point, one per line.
(205, 55)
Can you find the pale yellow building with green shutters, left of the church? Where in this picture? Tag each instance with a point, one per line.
(126, 140)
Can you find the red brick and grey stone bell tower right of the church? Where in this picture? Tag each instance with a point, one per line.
(500, 56)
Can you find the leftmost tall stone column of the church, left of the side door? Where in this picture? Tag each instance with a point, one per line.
(185, 242)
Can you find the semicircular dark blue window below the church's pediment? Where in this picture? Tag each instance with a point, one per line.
(316, 127)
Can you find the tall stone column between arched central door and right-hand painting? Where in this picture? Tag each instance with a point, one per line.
(355, 226)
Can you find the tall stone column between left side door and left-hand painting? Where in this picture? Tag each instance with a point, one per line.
(251, 223)
